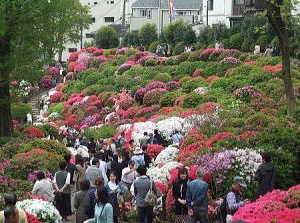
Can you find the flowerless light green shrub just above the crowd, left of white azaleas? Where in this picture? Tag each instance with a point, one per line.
(104, 132)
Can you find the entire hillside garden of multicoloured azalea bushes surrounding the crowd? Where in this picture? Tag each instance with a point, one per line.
(230, 106)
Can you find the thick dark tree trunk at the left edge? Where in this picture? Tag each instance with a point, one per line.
(5, 113)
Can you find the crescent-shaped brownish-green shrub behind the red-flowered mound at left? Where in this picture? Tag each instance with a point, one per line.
(47, 145)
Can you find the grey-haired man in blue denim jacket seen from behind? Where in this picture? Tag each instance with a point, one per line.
(196, 198)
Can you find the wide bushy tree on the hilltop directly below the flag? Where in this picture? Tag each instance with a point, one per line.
(179, 31)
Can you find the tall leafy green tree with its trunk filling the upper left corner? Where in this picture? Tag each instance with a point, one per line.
(24, 31)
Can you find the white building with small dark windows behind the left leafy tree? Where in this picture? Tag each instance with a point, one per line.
(103, 12)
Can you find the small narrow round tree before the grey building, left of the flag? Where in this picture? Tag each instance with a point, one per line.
(148, 34)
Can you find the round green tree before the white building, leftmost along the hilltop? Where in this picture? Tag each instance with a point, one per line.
(106, 37)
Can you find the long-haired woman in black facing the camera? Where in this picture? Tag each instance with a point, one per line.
(179, 193)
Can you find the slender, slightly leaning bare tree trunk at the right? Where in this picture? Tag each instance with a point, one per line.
(279, 26)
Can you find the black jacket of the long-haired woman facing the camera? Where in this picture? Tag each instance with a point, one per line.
(179, 191)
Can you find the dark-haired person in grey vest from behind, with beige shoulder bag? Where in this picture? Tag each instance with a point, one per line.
(141, 188)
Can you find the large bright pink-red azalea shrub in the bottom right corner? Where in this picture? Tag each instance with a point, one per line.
(275, 206)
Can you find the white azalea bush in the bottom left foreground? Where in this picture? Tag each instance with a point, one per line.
(43, 210)
